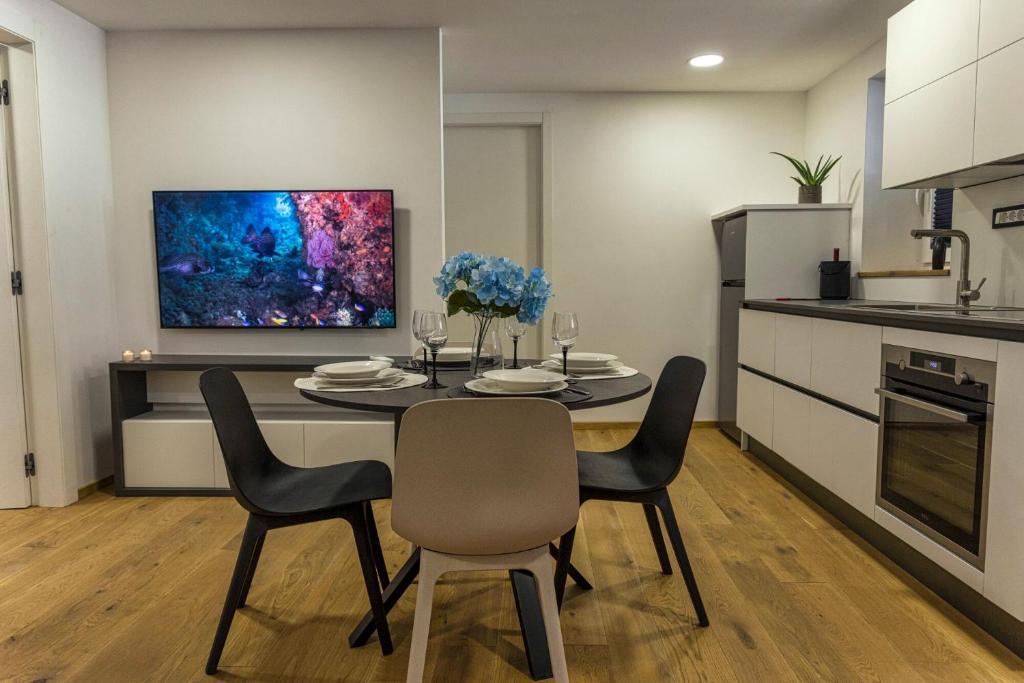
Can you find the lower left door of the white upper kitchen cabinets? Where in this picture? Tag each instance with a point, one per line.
(930, 133)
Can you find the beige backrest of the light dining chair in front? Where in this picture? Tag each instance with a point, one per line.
(485, 477)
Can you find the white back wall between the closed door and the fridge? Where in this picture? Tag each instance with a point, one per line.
(635, 180)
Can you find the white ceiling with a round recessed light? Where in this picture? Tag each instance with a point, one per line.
(544, 46)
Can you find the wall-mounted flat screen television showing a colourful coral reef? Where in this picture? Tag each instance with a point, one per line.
(290, 260)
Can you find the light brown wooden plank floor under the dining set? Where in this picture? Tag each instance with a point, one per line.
(130, 590)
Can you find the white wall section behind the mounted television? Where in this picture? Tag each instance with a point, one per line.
(275, 110)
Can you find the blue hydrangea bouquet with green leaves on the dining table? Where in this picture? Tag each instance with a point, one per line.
(489, 288)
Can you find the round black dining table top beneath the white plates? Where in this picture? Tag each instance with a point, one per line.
(607, 393)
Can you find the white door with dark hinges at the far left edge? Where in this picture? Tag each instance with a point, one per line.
(16, 491)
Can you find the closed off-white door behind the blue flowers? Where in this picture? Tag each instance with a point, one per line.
(493, 204)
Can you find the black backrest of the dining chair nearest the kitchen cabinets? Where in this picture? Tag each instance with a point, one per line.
(666, 428)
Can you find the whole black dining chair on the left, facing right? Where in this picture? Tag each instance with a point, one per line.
(278, 495)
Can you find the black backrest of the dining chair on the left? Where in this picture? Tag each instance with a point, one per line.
(248, 459)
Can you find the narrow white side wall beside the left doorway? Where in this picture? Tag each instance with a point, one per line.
(71, 75)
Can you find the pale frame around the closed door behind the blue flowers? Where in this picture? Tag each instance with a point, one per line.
(536, 119)
